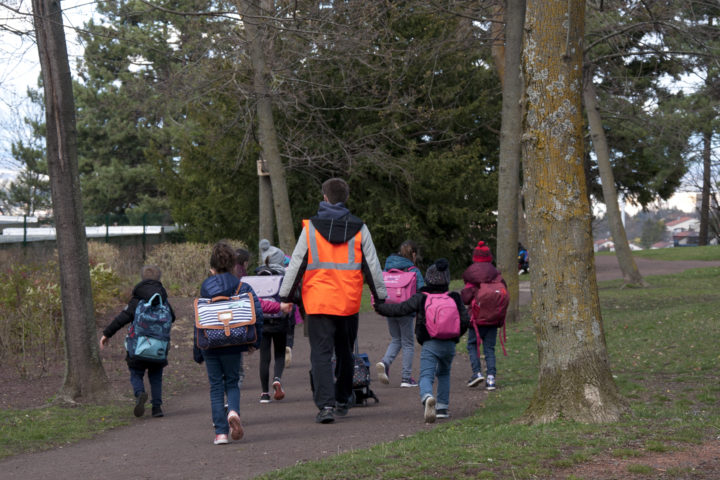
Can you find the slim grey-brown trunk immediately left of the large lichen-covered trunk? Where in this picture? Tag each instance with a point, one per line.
(510, 151)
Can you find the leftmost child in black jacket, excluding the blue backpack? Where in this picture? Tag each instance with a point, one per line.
(143, 292)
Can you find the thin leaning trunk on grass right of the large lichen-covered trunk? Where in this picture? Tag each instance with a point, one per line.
(628, 267)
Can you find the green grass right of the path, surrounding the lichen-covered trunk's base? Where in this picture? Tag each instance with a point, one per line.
(662, 343)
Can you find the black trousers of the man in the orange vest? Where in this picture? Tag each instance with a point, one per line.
(330, 334)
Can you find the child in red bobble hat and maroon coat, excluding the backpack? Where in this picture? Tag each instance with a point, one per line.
(481, 271)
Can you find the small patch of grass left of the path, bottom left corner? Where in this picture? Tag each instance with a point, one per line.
(40, 429)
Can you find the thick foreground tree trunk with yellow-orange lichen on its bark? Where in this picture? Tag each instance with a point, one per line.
(575, 381)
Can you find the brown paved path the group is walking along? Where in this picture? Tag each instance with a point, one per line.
(277, 435)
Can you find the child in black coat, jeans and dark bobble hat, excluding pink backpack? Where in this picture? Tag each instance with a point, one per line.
(437, 354)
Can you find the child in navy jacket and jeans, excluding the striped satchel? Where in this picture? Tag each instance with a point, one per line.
(225, 365)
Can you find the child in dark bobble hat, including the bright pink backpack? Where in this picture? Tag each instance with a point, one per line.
(441, 319)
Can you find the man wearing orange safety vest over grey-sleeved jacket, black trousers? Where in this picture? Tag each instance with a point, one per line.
(332, 257)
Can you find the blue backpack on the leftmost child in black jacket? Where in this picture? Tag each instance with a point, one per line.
(148, 335)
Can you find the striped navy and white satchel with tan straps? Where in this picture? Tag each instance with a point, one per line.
(225, 321)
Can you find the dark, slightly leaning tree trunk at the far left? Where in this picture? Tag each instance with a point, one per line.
(85, 379)
